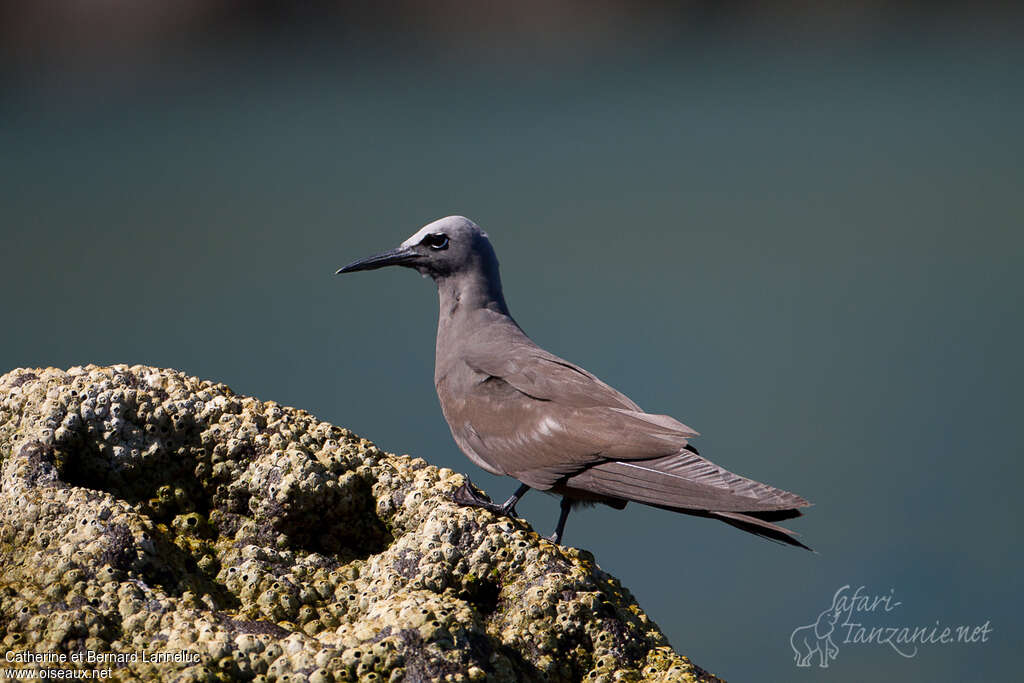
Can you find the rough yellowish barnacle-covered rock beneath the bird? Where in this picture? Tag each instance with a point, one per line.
(166, 529)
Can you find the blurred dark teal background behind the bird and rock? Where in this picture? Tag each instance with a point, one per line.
(795, 227)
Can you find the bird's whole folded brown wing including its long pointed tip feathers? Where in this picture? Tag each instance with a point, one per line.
(546, 421)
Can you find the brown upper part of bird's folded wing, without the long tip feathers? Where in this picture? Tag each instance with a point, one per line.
(535, 416)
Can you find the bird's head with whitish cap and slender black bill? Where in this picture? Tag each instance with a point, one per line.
(449, 247)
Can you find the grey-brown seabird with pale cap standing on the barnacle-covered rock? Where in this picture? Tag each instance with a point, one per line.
(518, 410)
